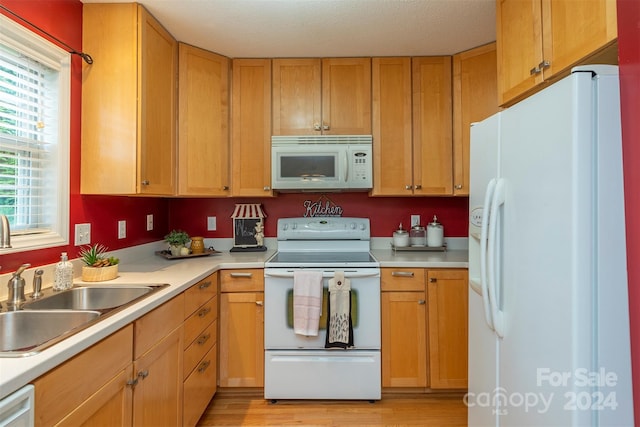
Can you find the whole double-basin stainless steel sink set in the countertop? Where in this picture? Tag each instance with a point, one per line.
(43, 322)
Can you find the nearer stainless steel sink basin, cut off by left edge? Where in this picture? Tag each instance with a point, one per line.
(23, 331)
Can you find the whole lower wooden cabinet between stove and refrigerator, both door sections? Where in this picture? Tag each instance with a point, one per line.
(424, 328)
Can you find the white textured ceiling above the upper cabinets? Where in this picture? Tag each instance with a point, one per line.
(326, 28)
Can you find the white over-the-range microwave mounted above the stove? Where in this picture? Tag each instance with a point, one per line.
(322, 163)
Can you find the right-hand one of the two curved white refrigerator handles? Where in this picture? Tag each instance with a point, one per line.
(494, 260)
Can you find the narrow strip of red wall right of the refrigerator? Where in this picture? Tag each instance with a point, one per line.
(629, 56)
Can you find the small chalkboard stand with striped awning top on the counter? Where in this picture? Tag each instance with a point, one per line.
(248, 228)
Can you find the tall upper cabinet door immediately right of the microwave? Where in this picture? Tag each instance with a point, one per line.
(392, 156)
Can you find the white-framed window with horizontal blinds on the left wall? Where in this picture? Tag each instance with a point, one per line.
(34, 138)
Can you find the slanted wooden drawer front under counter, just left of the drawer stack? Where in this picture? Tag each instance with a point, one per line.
(157, 324)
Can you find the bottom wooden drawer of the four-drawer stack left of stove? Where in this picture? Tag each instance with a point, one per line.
(199, 388)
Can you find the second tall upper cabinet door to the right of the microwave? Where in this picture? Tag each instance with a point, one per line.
(432, 126)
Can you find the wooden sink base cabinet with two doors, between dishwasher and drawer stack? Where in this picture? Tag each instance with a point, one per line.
(139, 380)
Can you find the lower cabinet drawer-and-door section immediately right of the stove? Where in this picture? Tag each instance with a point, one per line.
(404, 330)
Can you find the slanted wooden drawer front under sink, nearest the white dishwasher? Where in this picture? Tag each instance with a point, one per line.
(63, 389)
